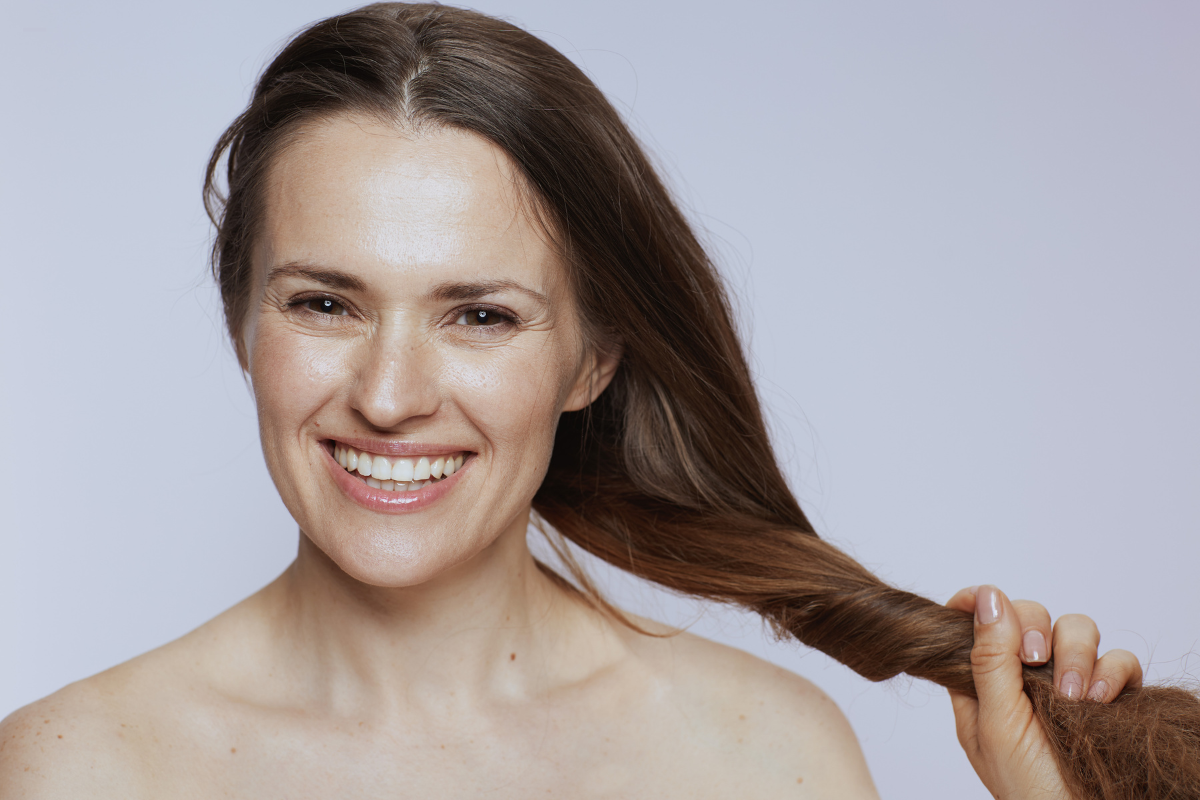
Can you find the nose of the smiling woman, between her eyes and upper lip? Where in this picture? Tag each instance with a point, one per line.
(397, 380)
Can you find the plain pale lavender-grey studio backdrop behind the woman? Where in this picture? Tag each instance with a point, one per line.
(963, 242)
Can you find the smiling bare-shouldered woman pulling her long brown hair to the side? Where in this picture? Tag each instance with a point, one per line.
(446, 317)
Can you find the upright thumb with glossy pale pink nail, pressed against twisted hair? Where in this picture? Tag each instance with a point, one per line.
(995, 657)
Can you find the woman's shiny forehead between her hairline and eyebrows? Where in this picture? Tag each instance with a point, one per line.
(365, 196)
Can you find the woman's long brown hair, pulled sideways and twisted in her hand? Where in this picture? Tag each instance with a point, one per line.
(640, 478)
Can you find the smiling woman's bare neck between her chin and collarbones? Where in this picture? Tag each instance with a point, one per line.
(494, 629)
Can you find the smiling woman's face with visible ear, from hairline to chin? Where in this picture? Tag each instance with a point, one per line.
(410, 321)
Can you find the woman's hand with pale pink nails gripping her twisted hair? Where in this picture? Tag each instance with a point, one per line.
(999, 732)
